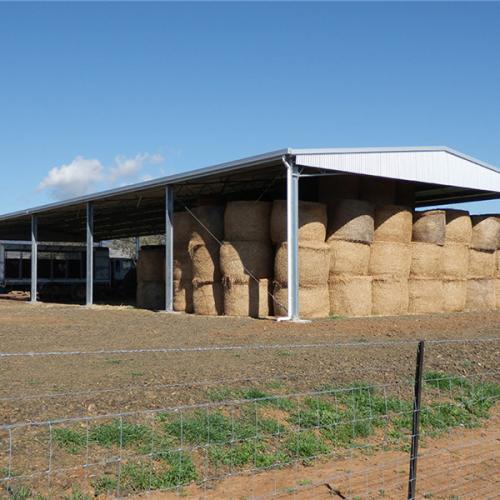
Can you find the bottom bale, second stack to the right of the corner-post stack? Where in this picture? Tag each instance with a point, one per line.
(389, 296)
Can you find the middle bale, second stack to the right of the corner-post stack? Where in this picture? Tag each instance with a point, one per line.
(390, 259)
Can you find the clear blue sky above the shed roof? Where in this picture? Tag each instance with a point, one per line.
(98, 95)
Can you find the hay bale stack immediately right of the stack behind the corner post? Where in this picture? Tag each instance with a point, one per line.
(349, 235)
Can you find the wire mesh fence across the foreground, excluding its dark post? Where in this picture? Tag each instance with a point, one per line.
(343, 427)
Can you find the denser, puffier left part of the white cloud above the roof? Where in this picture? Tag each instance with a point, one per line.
(75, 179)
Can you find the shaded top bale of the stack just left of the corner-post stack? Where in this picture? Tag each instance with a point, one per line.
(247, 221)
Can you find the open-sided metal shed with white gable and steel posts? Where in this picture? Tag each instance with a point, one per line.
(439, 175)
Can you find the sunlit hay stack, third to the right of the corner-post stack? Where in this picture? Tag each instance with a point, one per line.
(426, 284)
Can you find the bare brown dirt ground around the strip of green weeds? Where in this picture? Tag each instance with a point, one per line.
(254, 353)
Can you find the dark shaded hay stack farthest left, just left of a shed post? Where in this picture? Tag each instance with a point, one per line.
(151, 277)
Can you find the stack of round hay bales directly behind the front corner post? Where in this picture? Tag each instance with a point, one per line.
(313, 259)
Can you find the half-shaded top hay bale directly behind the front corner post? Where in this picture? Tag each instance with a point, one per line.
(312, 221)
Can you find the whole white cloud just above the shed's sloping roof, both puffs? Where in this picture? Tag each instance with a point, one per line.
(82, 175)
